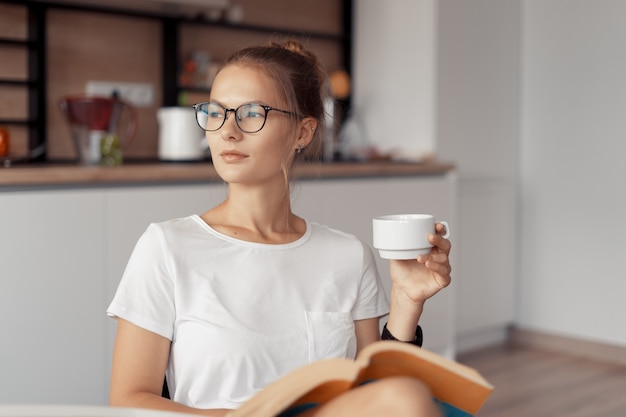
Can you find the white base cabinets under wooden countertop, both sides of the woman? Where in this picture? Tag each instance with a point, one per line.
(63, 253)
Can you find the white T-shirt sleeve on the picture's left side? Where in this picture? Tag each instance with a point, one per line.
(146, 293)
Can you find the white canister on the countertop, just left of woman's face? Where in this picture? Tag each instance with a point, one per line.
(180, 137)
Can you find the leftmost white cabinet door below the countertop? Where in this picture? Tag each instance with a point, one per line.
(51, 301)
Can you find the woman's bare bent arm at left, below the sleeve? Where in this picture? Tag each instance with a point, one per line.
(139, 361)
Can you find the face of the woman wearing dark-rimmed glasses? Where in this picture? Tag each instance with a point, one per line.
(258, 157)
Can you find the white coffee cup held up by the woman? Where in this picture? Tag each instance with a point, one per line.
(404, 236)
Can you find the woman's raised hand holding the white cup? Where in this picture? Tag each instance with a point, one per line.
(420, 279)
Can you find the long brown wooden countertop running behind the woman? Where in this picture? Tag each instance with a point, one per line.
(162, 173)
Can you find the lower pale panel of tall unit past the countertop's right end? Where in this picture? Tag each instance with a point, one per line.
(487, 212)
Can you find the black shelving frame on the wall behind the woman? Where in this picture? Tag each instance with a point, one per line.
(336, 37)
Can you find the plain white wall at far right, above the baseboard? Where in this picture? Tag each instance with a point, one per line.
(573, 157)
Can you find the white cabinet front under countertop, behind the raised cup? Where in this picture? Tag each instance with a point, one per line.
(350, 205)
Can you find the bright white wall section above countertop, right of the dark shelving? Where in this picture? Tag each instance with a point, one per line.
(394, 74)
